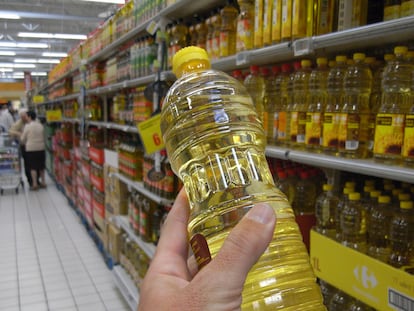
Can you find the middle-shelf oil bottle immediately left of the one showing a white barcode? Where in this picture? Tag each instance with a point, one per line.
(333, 106)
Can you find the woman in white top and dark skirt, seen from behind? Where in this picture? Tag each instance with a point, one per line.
(34, 141)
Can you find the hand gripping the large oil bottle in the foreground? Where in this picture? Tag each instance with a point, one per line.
(172, 281)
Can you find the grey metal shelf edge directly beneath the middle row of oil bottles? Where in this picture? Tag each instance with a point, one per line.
(362, 166)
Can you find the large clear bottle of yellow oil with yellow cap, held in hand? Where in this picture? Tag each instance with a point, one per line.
(217, 148)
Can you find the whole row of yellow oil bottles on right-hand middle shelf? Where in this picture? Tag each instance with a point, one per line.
(355, 108)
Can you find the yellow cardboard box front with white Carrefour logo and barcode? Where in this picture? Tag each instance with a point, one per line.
(375, 283)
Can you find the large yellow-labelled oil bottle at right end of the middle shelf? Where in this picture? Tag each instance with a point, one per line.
(396, 95)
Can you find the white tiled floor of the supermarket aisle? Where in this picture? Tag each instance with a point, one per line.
(48, 261)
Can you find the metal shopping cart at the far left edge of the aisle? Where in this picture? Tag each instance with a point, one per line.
(10, 172)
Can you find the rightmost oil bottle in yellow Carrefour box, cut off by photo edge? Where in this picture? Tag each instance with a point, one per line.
(402, 236)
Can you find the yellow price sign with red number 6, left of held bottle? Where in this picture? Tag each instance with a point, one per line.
(150, 131)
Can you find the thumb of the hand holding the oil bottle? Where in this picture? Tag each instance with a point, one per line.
(245, 244)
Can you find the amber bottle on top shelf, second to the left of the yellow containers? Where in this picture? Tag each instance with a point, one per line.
(228, 29)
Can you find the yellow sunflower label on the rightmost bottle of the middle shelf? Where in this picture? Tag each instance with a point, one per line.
(389, 133)
